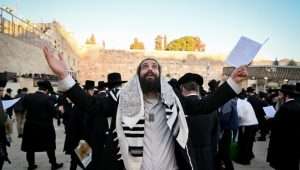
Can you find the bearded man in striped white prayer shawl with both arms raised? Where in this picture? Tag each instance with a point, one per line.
(150, 124)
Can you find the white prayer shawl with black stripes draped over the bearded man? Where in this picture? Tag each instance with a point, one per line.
(130, 120)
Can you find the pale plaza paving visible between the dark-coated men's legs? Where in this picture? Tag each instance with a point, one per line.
(19, 160)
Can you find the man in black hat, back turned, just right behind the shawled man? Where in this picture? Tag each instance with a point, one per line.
(203, 128)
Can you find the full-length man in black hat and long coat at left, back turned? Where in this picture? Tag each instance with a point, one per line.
(39, 132)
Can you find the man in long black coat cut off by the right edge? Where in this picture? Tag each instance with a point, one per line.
(284, 146)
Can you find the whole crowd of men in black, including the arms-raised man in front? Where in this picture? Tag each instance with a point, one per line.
(149, 123)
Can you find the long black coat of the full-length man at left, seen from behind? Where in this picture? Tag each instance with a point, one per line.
(39, 132)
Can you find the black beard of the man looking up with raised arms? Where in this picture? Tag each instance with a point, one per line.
(150, 86)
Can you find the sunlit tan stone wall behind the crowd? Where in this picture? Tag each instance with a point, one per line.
(95, 64)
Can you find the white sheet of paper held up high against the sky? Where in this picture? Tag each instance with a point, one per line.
(244, 52)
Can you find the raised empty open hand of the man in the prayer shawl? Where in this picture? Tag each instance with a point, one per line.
(57, 64)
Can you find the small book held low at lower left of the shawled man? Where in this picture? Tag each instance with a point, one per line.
(84, 153)
